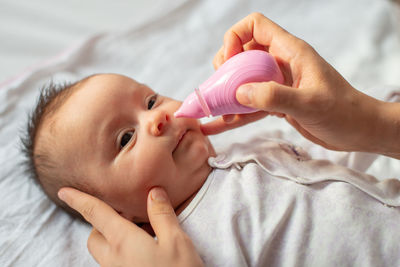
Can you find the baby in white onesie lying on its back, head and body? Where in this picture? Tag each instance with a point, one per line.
(114, 138)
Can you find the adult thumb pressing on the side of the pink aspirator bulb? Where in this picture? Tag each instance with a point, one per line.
(269, 96)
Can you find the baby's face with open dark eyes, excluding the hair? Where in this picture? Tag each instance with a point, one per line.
(123, 139)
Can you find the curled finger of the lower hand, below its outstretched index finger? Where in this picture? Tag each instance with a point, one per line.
(98, 247)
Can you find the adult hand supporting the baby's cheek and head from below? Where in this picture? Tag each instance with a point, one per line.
(115, 241)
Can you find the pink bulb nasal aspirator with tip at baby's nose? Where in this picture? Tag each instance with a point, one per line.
(217, 95)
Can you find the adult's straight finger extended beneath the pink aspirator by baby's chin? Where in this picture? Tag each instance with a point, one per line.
(220, 125)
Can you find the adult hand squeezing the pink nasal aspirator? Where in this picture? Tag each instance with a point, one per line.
(315, 99)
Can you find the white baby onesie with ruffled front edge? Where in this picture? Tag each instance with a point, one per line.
(267, 203)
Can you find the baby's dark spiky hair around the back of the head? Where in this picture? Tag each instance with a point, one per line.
(40, 162)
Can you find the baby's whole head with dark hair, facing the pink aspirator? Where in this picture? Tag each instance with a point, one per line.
(114, 138)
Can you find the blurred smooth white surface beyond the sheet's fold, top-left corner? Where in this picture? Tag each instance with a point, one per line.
(33, 31)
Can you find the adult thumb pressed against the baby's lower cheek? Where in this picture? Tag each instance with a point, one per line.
(161, 214)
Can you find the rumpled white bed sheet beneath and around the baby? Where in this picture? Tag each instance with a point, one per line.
(169, 45)
